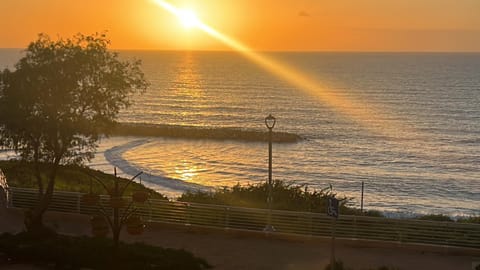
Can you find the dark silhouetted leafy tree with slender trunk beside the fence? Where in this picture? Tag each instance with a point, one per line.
(61, 96)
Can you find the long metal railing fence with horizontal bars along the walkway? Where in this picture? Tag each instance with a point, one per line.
(285, 222)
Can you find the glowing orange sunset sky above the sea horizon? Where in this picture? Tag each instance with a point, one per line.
(298, 25)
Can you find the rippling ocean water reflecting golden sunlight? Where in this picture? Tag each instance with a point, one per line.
(417, 149)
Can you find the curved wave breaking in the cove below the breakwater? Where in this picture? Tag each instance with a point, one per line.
(114, 155)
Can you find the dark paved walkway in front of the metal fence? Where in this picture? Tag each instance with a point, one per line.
(240, 250)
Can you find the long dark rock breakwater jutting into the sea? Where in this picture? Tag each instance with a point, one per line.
(195, 132)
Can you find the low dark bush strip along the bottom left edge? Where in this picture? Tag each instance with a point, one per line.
(96, 253)
